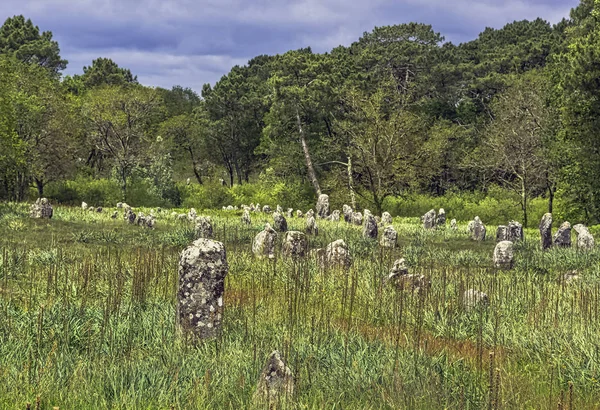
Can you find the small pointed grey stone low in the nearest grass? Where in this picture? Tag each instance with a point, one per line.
(275, 383)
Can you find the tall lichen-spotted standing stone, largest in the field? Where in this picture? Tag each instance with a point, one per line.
(202, 270)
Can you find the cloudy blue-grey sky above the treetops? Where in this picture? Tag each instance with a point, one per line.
(193, 42)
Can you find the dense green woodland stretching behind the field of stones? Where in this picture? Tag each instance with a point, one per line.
(399, 112)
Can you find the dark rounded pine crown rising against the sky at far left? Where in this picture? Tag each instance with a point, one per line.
(21, 39)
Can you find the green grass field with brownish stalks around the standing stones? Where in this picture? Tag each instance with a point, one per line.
(87, 320)
